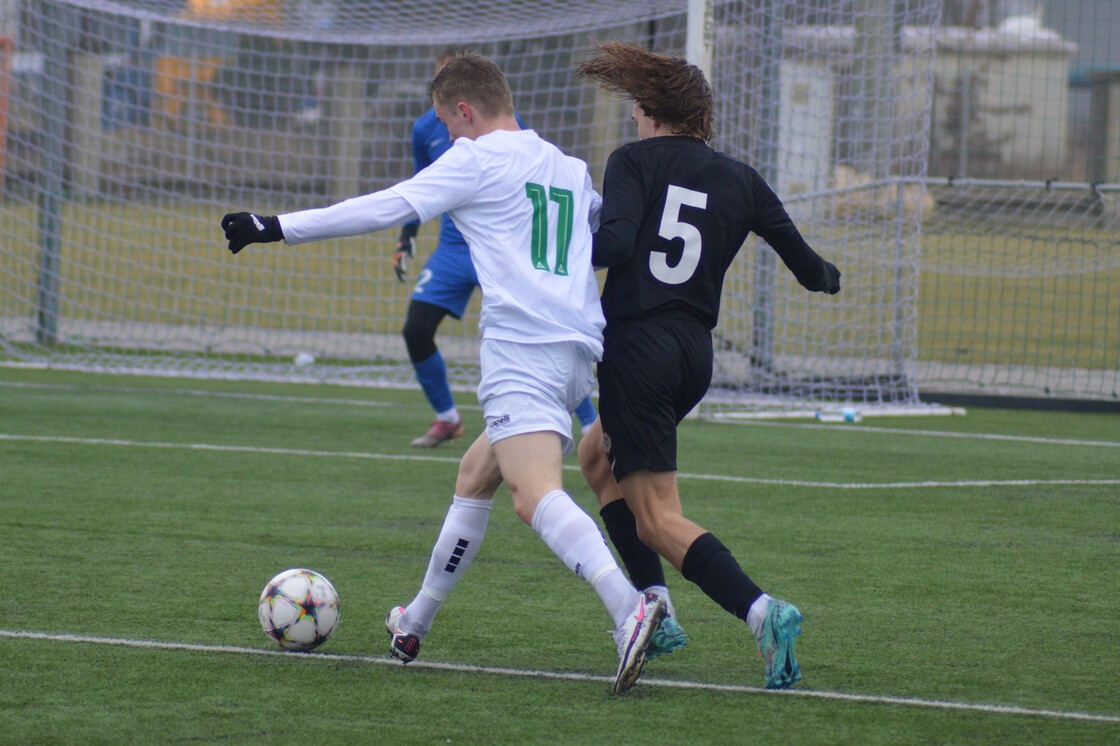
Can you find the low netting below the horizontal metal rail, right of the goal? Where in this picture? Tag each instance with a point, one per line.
(1022, 284)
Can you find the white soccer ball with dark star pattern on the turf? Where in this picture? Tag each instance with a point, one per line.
(300, 610)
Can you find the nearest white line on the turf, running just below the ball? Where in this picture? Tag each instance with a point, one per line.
(668, 684)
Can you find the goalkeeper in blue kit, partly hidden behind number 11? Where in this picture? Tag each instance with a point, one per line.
(443, 288)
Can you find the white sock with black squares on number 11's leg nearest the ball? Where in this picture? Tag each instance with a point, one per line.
(458, 545)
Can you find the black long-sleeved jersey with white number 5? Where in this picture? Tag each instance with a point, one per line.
(675, 215)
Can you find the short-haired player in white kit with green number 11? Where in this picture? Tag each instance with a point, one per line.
(527, 213)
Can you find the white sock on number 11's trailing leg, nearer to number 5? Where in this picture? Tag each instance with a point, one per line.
(575, 538)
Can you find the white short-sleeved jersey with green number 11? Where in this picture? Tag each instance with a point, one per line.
(526, 211)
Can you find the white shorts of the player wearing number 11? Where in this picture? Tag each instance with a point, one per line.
(534, 388)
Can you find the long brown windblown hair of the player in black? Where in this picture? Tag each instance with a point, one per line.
(668, 89)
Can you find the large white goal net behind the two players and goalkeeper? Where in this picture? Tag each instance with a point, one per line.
(133, 126)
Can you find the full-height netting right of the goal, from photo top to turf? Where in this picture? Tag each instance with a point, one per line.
(1021, 271)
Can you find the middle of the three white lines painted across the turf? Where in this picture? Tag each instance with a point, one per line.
(450, 460)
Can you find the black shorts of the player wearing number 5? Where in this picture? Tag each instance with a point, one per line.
(654, 374)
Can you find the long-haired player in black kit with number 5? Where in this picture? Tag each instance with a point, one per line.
(675, 216)
